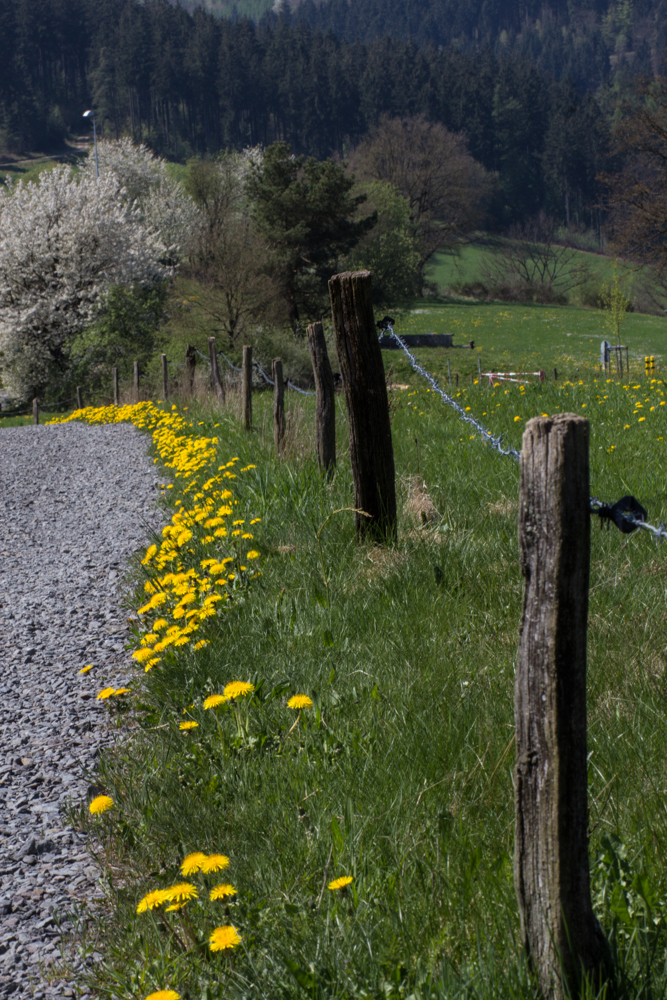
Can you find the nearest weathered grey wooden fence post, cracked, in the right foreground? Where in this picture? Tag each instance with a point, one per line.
(562, 936)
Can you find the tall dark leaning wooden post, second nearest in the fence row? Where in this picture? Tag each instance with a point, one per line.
(360, 359)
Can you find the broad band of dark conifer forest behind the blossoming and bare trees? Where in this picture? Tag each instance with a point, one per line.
(191, 84)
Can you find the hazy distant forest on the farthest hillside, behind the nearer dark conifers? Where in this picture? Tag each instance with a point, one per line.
(586, 41)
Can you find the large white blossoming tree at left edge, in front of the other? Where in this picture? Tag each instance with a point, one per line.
(64, 242)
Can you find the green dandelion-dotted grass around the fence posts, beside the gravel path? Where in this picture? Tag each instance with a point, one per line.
(399, 777)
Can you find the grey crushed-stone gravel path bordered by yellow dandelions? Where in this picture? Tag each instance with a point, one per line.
(74, 501)
